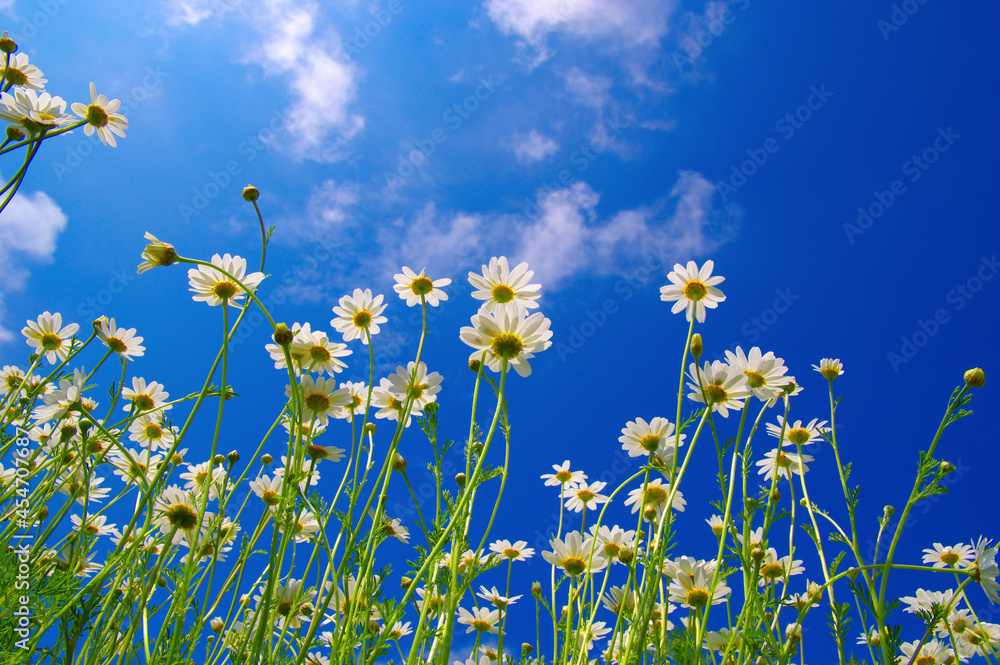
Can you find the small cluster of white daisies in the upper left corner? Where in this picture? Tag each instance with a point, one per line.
(32, 112)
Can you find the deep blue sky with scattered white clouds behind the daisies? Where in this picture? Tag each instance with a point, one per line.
(835, 161)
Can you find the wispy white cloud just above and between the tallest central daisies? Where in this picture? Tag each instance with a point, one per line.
(568, 238)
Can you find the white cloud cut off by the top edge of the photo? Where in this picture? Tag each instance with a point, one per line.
(632, 23)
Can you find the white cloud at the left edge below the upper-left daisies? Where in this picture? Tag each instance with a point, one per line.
(29, 227)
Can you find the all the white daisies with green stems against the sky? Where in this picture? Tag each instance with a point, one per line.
(121, 545)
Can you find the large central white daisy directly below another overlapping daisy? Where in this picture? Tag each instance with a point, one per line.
(508, 332)
